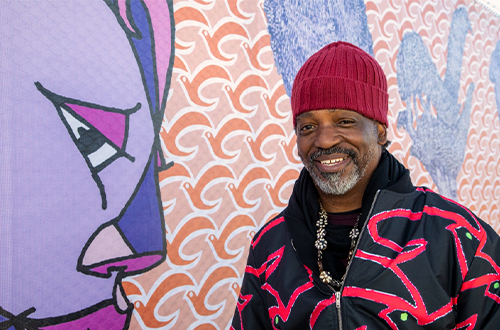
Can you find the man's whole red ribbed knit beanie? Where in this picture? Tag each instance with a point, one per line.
(341, 76)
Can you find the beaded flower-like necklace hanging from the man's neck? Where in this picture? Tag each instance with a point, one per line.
(321, 245)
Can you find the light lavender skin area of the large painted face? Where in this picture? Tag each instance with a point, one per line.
(51, 207)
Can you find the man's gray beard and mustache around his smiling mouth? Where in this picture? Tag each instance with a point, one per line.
(334, 183)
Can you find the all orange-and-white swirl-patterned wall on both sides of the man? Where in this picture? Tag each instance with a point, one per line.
(228, 129)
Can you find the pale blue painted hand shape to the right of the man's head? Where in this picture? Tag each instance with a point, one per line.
(440, 136)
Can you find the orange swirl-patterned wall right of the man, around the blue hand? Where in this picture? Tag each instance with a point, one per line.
(478, 182)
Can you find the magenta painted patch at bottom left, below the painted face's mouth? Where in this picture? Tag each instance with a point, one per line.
(106, 318)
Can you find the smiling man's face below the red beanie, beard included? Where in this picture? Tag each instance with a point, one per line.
(340, 149)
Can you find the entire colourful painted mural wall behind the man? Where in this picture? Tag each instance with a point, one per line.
(133, 127)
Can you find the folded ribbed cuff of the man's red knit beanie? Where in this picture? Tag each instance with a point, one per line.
(340, 93)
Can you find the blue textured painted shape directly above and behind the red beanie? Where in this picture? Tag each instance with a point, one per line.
(302, 28)
